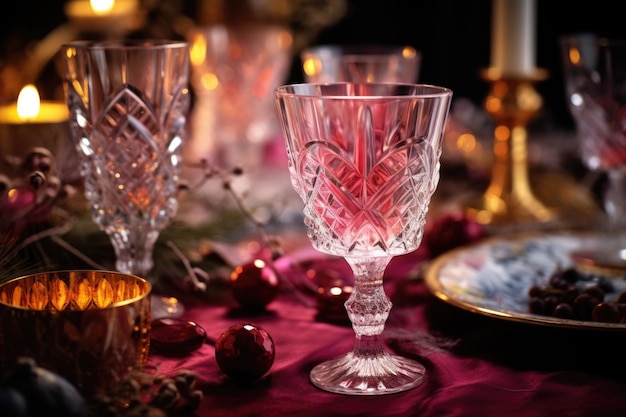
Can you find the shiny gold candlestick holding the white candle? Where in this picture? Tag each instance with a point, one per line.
(512, 103)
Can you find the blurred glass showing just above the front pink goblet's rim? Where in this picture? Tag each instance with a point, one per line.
(360, 63)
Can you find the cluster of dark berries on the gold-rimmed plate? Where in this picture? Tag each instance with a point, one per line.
(573, 294)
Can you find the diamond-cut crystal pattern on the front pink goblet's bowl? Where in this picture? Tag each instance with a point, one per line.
(370, 200)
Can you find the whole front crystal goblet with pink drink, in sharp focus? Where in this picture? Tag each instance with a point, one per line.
(364, 158)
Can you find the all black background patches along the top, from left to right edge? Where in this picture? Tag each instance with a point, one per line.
(452, 35)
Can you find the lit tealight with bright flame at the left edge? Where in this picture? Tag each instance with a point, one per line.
(30, 122)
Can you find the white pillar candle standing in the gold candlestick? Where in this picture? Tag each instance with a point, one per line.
(513, 37)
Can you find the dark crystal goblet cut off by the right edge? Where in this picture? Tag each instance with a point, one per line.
(595, 84)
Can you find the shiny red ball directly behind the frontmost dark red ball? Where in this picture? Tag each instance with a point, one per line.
(254, 285)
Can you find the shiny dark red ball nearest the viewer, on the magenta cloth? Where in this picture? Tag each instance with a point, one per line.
(245, 352)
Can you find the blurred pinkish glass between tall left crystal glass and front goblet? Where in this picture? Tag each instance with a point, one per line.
(234, 71)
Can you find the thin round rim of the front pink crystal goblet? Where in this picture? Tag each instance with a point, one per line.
(429, 90)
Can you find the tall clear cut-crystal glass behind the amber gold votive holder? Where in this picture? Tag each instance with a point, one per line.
(128, 103)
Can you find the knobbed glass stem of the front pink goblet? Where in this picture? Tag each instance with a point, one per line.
(368, 306)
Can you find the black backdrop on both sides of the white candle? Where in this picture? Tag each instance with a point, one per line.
(454, 39)
